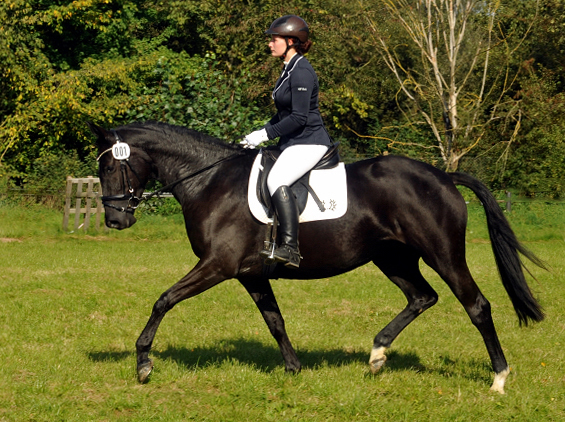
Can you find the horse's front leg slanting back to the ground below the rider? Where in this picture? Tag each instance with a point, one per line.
(263, 296)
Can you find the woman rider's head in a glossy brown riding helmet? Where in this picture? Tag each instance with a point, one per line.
(294, 30)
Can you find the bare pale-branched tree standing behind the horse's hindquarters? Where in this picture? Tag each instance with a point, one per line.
(462, 80)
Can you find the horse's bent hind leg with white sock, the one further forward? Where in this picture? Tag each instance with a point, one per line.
(400, 265)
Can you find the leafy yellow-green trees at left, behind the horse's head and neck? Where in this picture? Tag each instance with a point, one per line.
(106, 61)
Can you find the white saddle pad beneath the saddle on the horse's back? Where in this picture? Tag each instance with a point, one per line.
(330, 186)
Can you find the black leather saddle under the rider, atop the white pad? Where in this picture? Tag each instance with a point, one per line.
(301, 188)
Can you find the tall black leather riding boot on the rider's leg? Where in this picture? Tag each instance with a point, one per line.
(287, 212)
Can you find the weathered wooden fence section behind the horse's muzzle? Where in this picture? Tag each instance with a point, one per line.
(85, 189)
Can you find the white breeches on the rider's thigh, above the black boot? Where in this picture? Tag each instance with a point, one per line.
(293, 163)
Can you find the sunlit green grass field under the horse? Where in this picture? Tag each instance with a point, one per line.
(72, 306)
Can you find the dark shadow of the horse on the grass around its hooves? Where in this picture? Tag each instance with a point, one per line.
(267, 358)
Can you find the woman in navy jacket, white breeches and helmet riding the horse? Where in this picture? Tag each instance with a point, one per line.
(298, 124)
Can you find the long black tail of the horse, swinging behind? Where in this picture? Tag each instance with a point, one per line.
(505, 246)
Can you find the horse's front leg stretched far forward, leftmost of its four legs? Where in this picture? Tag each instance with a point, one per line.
(199, 279)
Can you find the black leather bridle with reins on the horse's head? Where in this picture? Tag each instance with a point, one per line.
(135, 201)
